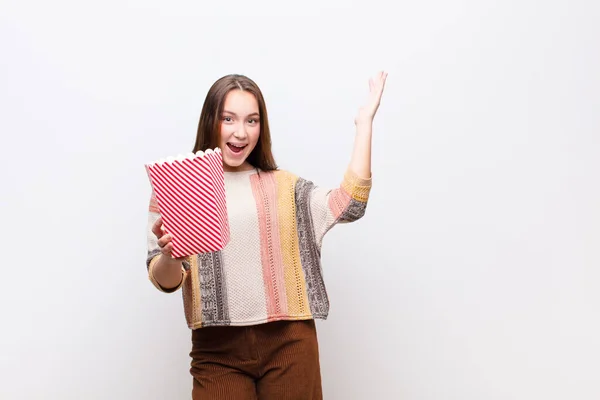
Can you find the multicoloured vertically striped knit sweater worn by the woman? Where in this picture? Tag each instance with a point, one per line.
(271, 268)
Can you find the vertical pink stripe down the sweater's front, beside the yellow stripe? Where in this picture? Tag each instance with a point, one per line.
(264, 188)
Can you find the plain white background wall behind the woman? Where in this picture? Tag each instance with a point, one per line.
(474, 274)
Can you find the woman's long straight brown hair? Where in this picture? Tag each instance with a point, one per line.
(209, 126)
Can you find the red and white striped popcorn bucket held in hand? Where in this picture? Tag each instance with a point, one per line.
(190, 192)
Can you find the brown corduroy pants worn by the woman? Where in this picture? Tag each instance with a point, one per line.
(272, 361)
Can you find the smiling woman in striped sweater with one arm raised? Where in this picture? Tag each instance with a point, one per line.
(251, 307)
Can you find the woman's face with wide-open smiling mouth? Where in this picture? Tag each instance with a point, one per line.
(240, 129)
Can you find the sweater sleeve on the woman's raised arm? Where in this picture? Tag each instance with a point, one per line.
(323, 208)
